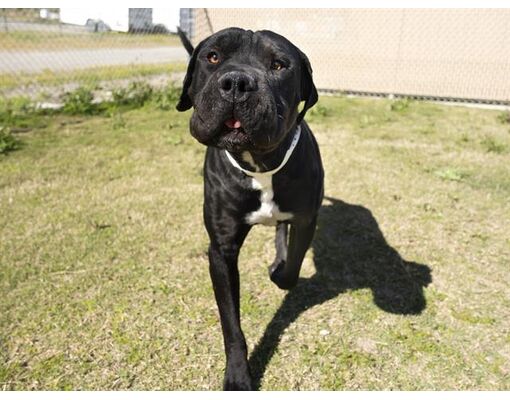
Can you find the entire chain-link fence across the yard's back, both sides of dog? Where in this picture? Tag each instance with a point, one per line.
(454, 54)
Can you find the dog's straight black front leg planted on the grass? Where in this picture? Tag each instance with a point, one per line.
(225, 279)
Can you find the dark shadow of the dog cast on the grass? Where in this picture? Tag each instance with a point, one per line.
(350, 253)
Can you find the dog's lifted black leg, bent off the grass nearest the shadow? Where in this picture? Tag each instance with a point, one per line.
(285, 273)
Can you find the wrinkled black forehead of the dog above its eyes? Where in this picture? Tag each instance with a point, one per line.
(235, 40)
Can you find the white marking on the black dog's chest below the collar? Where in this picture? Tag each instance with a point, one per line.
(268, 213)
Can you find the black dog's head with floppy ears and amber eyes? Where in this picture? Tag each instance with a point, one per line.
(245, 88)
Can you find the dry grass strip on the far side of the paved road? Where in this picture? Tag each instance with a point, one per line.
(36, 41)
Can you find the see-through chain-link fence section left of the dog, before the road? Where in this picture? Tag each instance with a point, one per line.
(47, 52)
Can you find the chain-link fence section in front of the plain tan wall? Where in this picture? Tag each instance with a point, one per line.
(445, 54)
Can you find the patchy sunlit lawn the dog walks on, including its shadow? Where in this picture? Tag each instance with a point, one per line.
(103, 268)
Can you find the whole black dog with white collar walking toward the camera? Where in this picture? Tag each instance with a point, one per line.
(262, 164)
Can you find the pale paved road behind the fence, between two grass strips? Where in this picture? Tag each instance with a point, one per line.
(65, 60)
